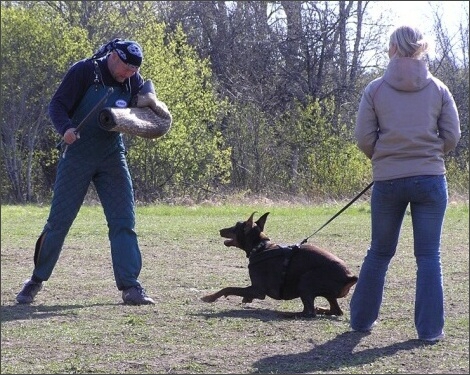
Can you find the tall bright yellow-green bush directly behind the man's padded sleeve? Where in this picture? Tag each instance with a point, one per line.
(192, 155)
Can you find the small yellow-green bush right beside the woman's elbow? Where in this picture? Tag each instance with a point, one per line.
(328, 163)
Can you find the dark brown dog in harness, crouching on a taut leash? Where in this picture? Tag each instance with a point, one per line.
(286, 272)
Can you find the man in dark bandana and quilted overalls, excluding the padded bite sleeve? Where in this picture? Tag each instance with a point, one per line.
(92, 154)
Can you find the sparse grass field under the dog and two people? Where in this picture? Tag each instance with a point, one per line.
(79, 325)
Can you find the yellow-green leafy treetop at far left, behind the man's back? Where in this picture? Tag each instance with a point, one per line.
(32, 41)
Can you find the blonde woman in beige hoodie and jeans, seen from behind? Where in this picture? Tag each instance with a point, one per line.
(407, 121)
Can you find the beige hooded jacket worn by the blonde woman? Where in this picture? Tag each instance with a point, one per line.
(407, 121)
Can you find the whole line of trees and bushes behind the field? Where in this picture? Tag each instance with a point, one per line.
(263, 94)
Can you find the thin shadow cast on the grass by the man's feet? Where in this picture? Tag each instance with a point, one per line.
(22, 312)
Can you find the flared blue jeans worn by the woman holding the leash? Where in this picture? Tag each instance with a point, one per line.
(427, 197)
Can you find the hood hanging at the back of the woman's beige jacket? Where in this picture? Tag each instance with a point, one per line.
(407, 74)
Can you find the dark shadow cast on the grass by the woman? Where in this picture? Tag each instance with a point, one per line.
(330, 356)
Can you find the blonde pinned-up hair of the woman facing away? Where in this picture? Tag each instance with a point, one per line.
(410, 42)
